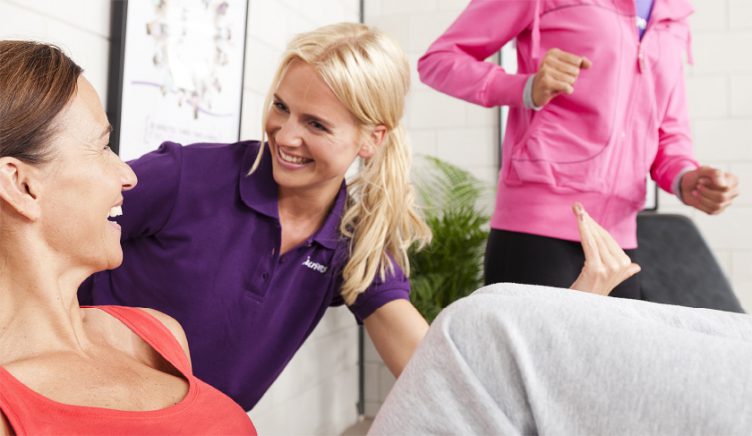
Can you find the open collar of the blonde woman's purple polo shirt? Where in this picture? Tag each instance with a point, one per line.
(259, 192)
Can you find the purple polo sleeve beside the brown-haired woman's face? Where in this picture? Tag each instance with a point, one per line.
(148, 206)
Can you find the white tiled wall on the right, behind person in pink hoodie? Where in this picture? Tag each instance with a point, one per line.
(720, 101)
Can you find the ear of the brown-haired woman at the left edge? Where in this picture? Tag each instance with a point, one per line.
(17, 188)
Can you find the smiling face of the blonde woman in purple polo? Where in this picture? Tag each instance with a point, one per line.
(313, 138)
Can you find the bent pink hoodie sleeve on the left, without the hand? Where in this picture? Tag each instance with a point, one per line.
(454, 63)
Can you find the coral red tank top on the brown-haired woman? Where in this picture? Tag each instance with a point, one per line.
(204, 410)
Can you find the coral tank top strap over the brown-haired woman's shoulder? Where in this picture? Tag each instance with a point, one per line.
(154, 333)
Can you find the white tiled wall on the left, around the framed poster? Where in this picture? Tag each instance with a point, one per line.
(317, 393)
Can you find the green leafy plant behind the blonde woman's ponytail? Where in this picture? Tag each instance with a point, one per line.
(451, 267)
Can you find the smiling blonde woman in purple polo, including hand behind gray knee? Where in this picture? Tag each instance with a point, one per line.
(248, 244)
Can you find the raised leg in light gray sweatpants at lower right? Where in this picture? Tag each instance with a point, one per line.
(517, 359)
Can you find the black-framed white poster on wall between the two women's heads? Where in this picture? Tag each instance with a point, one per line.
(176, 72)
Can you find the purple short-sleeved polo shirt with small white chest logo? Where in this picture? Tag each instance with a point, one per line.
(201, 244)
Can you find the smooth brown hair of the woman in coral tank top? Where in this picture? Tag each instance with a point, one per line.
(37, 81)
